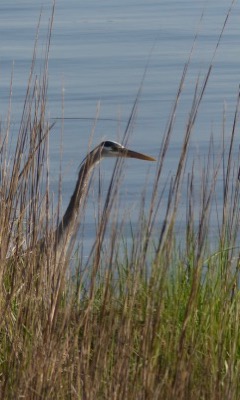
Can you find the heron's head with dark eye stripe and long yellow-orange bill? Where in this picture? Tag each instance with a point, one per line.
(114, 149)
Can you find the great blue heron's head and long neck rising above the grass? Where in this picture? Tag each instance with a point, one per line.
(67, 225)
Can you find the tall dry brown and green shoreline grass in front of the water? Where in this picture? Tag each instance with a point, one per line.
(154, 318)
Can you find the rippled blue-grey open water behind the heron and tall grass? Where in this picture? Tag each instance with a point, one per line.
(98, 56)
